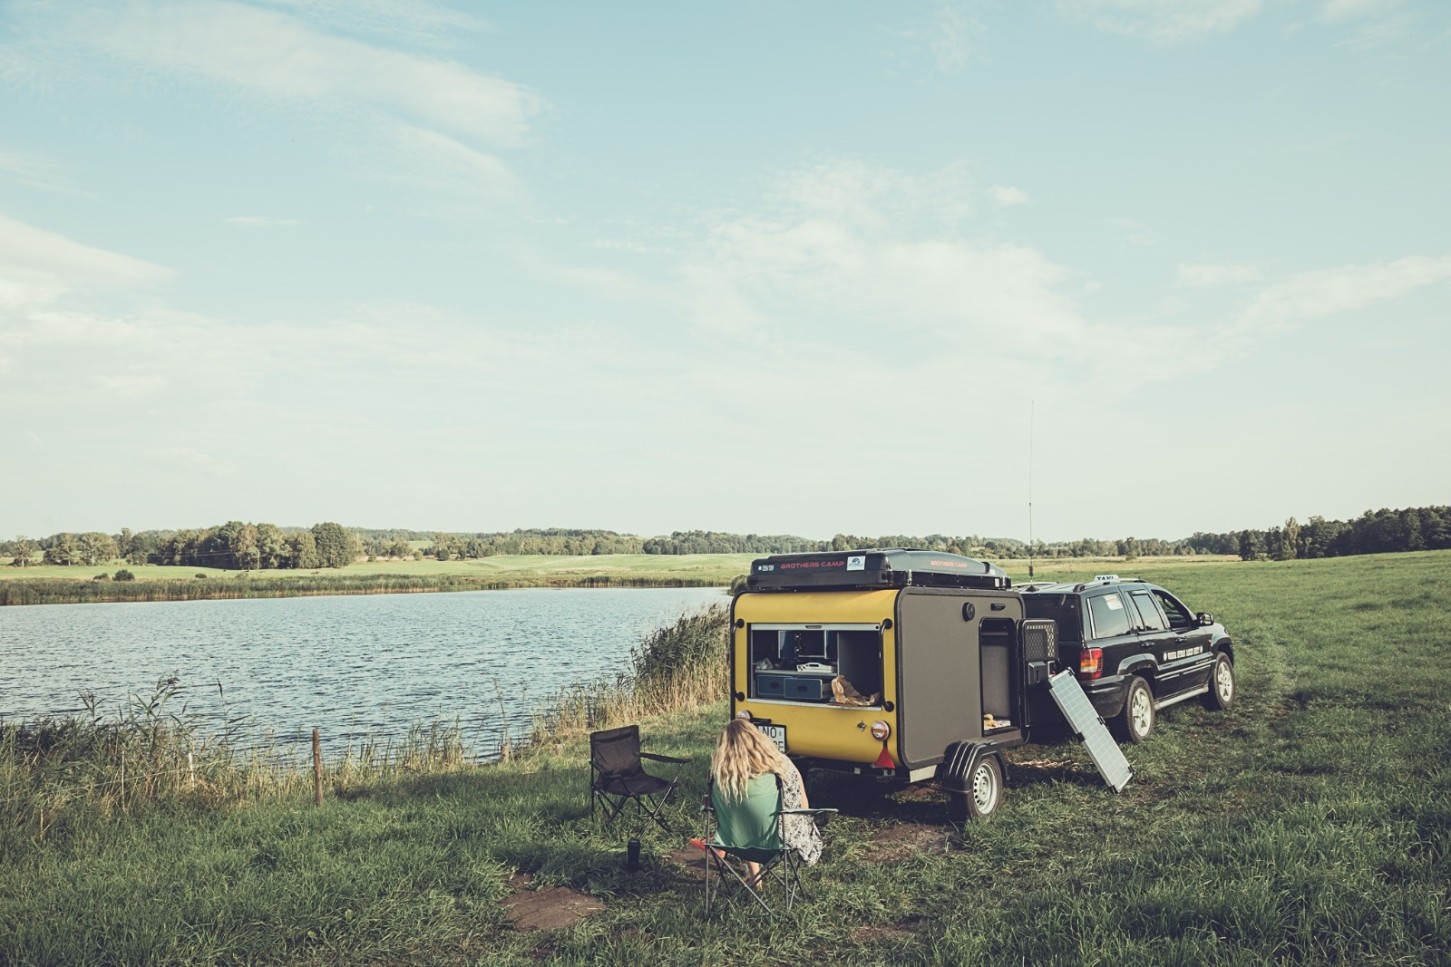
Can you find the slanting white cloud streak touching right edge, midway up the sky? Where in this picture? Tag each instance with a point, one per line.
(1333, 291)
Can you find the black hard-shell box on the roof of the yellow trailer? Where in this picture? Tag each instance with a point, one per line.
(886, 568)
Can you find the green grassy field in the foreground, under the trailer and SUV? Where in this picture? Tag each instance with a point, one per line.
(1311, 824)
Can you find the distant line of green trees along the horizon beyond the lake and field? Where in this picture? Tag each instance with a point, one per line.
(242, 547)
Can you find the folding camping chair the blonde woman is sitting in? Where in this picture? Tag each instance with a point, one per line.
(751, 831)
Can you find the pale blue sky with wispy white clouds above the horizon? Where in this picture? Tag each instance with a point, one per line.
(764, 268)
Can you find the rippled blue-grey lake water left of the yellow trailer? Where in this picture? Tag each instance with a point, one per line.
(352, 666)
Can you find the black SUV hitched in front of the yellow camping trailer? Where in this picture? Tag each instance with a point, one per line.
(1137, 648)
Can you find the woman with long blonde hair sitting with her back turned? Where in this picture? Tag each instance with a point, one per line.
(745, 769)
